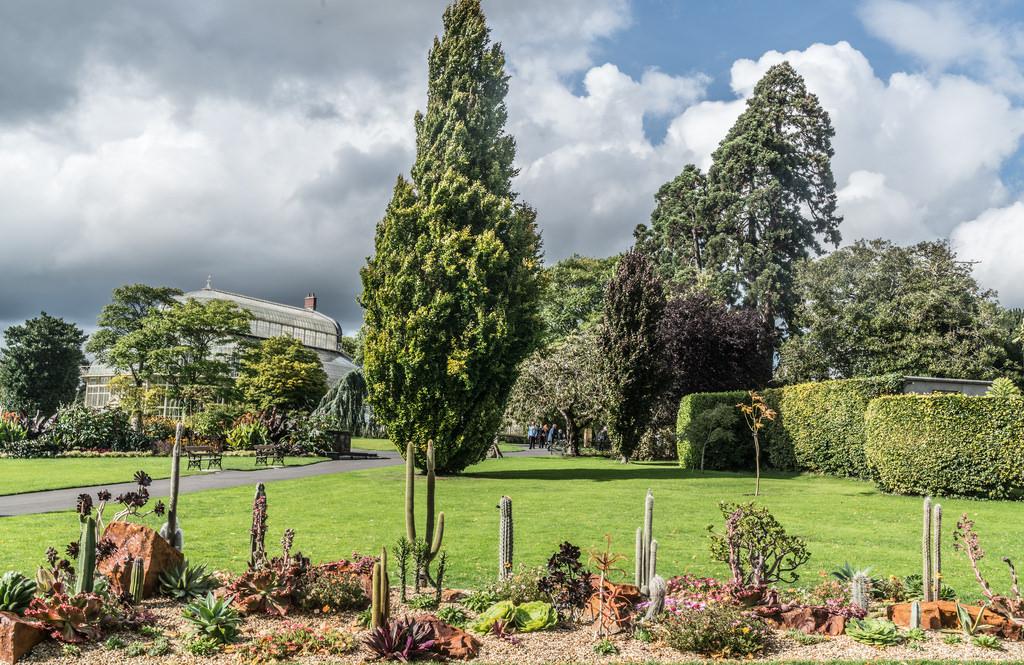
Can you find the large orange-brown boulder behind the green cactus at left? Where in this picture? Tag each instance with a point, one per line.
(137, 542)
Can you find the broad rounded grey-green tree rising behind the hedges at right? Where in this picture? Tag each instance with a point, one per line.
(874, 308)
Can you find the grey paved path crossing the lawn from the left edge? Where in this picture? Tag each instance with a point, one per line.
(57, 501)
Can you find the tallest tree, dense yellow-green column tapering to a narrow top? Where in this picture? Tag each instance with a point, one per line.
(451, 296)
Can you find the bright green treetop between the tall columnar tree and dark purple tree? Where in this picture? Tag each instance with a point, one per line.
(574, 295)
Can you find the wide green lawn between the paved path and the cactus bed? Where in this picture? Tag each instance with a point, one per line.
(558, 500)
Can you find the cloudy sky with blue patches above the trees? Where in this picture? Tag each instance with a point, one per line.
(258, 142)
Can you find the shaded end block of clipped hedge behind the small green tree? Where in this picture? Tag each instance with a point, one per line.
(717, 456)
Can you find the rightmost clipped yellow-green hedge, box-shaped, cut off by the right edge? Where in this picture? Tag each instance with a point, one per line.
(949, 444)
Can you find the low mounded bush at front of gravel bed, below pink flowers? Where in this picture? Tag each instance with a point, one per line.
(719, 631)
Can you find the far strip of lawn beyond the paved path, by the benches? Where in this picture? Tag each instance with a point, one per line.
(33, 475)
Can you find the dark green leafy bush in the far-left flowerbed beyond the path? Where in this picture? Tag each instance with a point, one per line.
(79, 428)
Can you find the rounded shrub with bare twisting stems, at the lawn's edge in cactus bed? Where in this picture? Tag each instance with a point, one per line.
(765, 553)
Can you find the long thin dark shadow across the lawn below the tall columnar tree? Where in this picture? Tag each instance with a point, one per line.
(633, 472)
